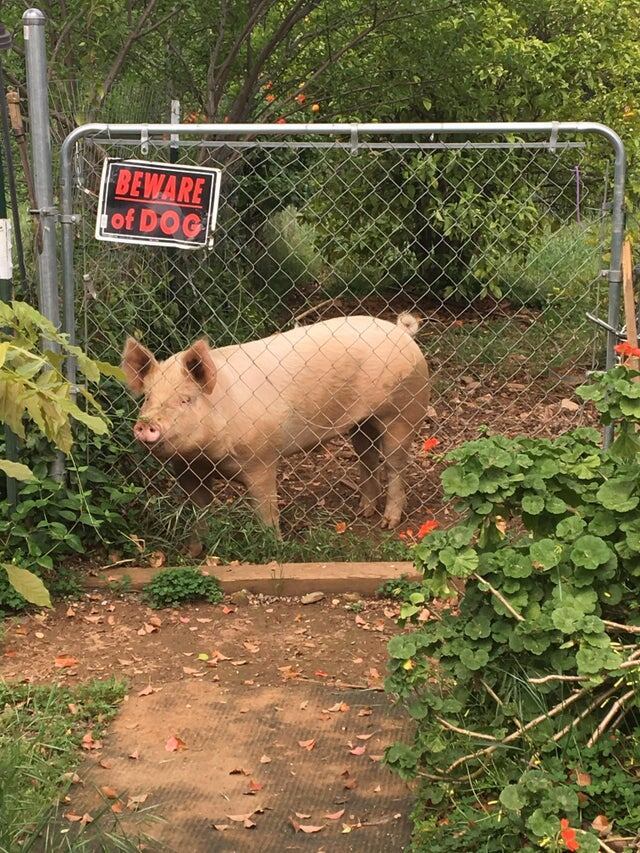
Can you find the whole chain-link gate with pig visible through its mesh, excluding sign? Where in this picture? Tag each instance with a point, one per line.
(493, 237)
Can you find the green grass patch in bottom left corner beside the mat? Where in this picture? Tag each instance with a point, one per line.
(41, 729)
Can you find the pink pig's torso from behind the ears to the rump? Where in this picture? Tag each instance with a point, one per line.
(309, 383)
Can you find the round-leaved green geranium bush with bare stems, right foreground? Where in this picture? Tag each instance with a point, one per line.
(525, 692)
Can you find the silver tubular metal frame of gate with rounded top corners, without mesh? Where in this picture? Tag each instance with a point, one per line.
(353, 133)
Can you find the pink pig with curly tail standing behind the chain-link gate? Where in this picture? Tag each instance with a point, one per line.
(233, 412)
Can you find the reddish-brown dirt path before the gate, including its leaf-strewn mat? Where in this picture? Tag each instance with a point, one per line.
(255, 723)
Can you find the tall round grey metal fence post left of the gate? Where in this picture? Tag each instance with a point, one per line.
(38, 103)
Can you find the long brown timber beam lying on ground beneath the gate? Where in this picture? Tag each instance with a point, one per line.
(278, 578)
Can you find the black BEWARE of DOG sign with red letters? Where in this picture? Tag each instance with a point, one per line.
(157, 203)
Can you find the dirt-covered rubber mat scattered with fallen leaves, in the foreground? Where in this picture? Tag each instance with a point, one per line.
(266, 766)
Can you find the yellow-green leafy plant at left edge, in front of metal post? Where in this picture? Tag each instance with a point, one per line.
(33, 385)
